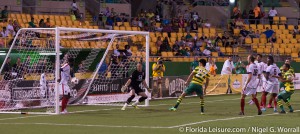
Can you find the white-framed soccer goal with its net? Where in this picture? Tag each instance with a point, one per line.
(104, 60)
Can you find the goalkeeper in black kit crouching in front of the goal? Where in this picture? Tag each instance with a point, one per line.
(136, 78)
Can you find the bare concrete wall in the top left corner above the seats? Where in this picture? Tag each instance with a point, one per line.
(13, 5)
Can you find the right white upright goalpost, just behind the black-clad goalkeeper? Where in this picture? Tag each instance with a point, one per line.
(147, 67)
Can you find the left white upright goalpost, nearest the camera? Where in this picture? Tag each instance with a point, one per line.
(57, 69)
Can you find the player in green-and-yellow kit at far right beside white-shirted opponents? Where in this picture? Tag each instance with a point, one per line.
(286, 94)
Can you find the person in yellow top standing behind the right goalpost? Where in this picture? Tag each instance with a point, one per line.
(158, 73)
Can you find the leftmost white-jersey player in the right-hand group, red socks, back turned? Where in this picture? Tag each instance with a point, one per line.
(251, 85)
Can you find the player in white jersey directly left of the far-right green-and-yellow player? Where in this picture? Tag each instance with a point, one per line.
(272, 84)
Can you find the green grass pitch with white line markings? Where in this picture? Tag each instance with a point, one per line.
(221, 113)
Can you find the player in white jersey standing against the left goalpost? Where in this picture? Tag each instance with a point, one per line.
(65, 76)
